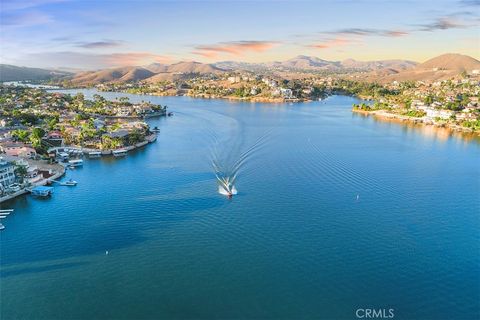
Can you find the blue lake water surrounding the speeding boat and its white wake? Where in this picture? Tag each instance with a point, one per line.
(295, 243)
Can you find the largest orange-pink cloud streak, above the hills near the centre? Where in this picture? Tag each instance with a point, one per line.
(237, 48)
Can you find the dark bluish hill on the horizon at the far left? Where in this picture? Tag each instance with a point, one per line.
(14, 73)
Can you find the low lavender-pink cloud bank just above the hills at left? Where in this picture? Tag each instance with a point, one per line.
(90, 60)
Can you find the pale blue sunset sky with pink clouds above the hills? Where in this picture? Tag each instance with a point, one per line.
(98, 34)
